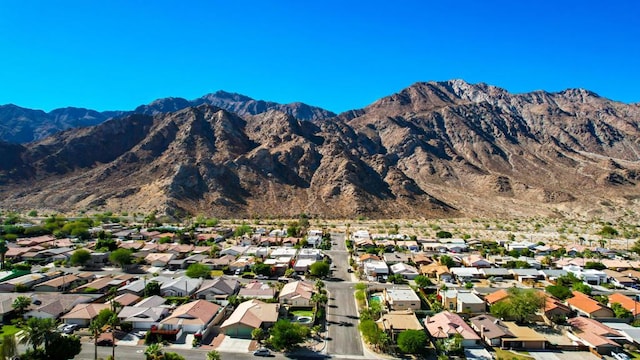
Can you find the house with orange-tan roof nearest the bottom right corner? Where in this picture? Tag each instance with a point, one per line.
(594, 334)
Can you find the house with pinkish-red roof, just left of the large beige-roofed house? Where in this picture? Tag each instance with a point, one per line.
(196, 317)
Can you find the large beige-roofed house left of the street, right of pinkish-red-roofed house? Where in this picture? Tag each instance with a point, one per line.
(248, 316)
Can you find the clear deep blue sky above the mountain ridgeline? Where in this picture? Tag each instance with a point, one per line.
(337, 54)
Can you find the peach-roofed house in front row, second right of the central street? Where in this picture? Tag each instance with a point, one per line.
(446, 324)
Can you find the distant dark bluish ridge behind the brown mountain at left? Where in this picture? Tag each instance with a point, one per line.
(21, 125)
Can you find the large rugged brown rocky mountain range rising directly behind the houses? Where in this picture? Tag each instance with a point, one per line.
(434, 149)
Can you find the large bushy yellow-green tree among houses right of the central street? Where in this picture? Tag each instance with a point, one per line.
(521, 305)
